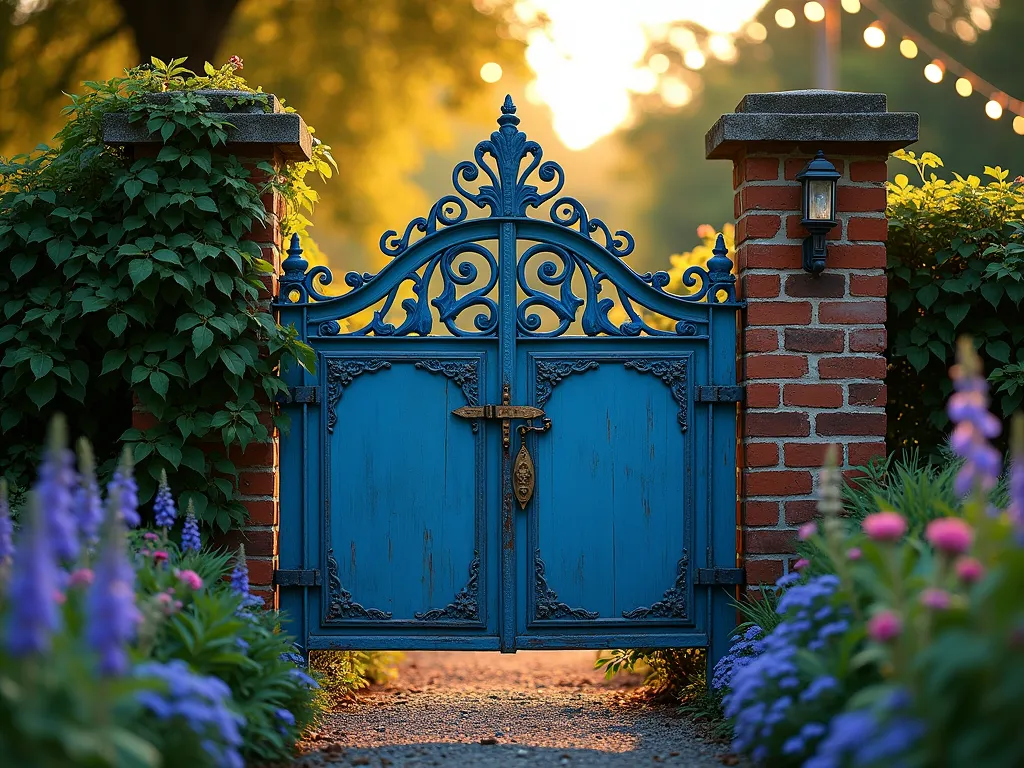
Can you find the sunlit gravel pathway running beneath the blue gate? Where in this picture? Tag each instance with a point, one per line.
(492, 711)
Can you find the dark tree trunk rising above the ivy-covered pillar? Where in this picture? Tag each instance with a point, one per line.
(172, 29)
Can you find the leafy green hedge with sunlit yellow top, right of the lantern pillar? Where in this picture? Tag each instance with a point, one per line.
(956, 267)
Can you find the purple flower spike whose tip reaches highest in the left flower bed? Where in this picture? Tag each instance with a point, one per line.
(57, 482)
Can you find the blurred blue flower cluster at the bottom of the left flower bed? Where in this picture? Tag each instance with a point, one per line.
(202, 703)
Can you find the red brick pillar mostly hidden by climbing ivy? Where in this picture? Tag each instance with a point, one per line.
(258, 137)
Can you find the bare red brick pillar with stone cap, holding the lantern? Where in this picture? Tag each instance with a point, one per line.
(812, 352)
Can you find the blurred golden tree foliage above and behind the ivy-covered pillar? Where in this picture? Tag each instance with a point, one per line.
(377, 78)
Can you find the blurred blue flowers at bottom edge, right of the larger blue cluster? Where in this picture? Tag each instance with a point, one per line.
(867, 739)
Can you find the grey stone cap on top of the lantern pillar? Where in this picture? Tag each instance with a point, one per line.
(812, 117)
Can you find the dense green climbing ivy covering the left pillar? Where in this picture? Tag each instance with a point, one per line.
(125, 278)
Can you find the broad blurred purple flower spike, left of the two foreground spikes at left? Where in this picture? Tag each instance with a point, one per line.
(34, 587)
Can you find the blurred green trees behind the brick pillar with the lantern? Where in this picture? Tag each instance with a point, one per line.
(687, 191)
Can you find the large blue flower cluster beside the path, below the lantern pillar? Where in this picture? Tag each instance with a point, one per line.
(774, 700)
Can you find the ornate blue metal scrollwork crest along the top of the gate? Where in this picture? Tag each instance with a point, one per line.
(508, 162)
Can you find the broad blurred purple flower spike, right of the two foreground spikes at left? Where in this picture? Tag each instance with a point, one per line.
(112, 613)
